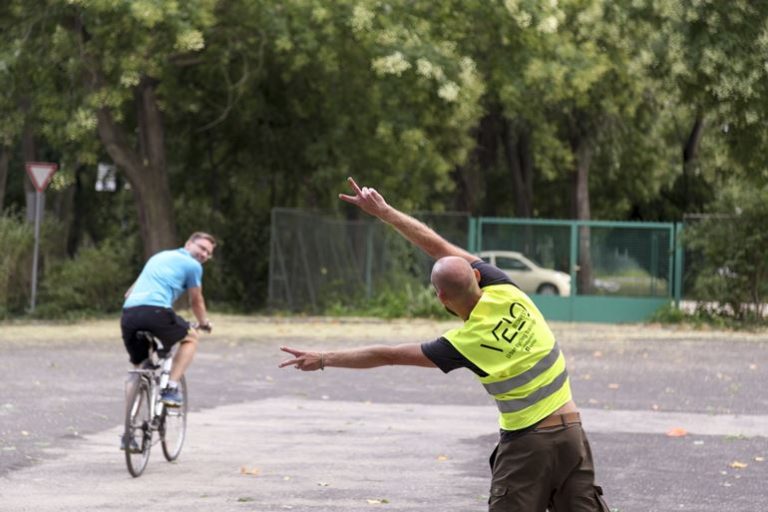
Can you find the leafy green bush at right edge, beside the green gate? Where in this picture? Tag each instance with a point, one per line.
(732, 278)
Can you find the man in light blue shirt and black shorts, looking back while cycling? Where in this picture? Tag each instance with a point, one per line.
(149, 307)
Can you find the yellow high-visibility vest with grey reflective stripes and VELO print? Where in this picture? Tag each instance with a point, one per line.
(507, 337)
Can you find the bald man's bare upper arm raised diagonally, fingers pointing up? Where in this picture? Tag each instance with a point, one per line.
(415, 231)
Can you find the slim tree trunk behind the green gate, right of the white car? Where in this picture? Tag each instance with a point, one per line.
(582, 153)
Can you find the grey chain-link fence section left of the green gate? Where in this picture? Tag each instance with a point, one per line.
(319, 260)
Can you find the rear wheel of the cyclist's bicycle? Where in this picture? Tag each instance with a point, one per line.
(138, 433)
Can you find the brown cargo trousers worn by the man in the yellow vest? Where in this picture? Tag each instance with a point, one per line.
(545, 469)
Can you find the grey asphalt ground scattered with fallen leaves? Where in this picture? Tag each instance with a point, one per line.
(399, 439)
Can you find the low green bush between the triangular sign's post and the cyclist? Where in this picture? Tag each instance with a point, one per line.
(92, 282)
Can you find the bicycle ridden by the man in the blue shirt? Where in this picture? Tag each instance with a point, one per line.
(145, 414)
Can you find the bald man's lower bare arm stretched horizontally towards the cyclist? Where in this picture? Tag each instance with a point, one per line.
(363, 357)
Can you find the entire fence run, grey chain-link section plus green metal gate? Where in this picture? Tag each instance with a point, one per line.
(594, 271)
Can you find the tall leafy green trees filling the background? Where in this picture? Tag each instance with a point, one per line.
(216, 111)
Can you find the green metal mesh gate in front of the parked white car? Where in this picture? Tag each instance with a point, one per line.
(619, 271)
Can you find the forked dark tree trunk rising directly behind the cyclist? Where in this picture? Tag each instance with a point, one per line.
(145, 169)
